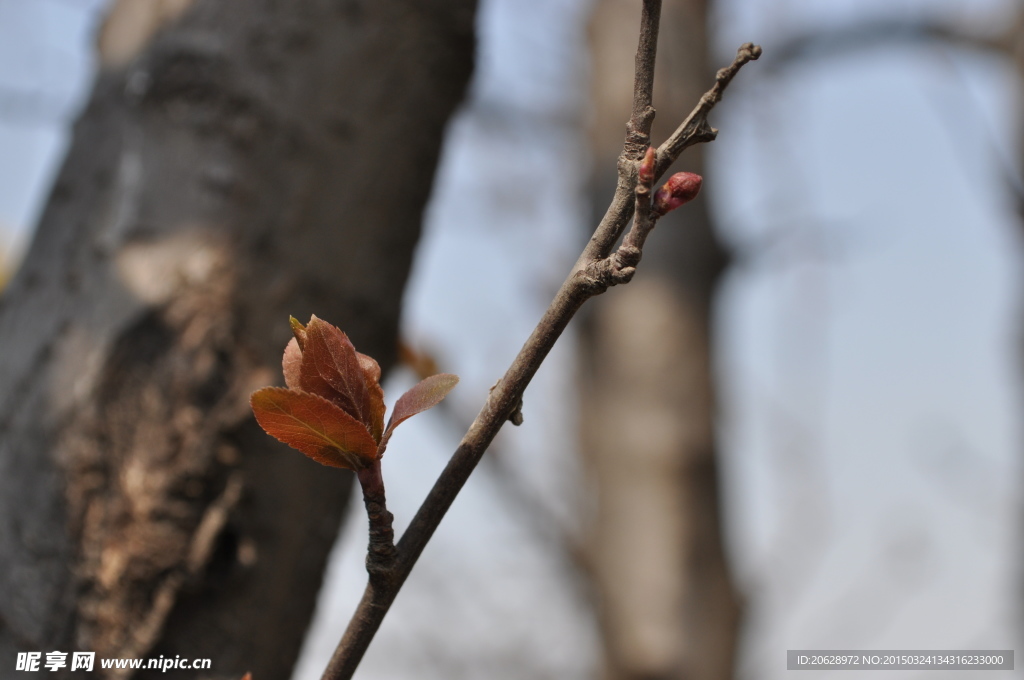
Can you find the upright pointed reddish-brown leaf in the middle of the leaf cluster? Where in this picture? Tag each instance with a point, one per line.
(331, 370)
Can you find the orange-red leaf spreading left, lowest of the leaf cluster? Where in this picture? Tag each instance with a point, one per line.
(315, 427)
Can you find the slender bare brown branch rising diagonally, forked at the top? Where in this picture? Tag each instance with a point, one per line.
(592, 275)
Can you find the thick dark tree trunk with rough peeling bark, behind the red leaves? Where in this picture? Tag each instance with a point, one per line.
(239, 161)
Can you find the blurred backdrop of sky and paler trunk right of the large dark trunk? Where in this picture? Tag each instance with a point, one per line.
(797, 429)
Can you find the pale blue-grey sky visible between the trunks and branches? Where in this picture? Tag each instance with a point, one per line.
(870, 357)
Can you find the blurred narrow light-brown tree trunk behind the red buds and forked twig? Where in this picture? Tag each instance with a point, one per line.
(668, 607)
